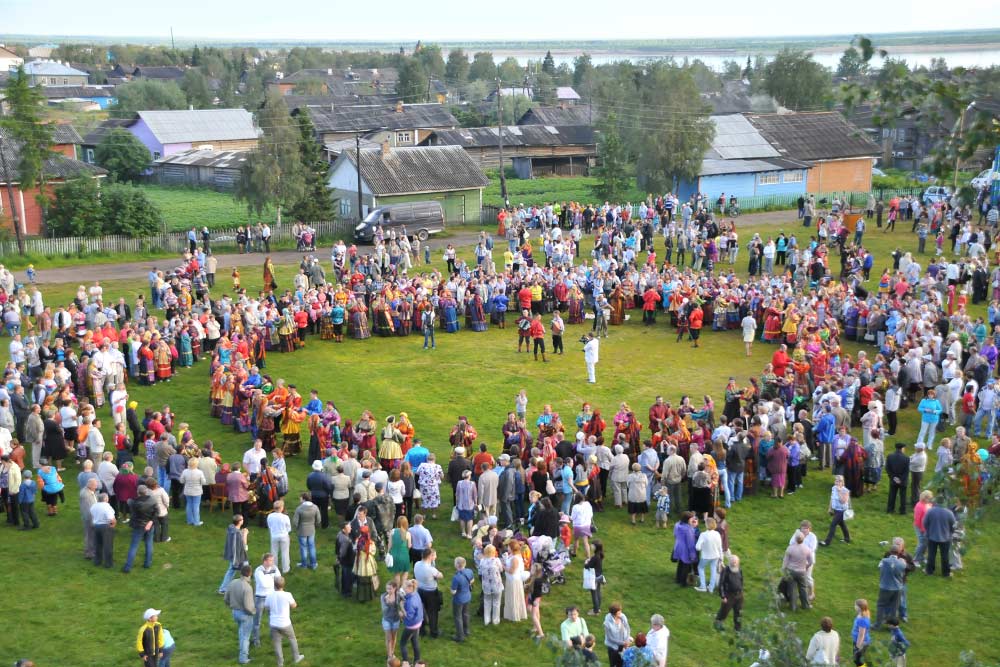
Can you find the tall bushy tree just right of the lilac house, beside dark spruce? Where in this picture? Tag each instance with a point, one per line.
(273, 174)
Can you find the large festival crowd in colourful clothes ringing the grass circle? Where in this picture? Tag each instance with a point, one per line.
(530, 512)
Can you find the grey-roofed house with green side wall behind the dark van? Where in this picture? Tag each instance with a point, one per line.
(405, 174)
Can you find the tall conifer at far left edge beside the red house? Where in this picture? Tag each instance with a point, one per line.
(24, 125)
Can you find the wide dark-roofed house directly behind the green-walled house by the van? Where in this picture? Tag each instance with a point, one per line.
(399, 124)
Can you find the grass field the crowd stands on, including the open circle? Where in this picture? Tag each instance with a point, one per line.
(478, 375)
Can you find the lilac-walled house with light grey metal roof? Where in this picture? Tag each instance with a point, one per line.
(168, 132)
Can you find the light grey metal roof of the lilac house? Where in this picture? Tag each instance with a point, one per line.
(174, 127)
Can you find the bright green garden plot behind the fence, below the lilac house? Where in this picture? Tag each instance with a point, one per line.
(183, 208)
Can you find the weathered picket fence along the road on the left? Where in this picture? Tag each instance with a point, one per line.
(175, 242)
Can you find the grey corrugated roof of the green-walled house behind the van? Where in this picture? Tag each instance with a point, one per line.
(418, 169)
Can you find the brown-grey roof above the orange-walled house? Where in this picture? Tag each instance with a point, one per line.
(824, 135)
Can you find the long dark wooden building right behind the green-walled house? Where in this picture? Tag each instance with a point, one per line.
(533, 150)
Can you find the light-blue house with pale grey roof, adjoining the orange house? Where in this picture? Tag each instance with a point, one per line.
(743, 163)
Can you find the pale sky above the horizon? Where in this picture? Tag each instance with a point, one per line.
(457, 20)
